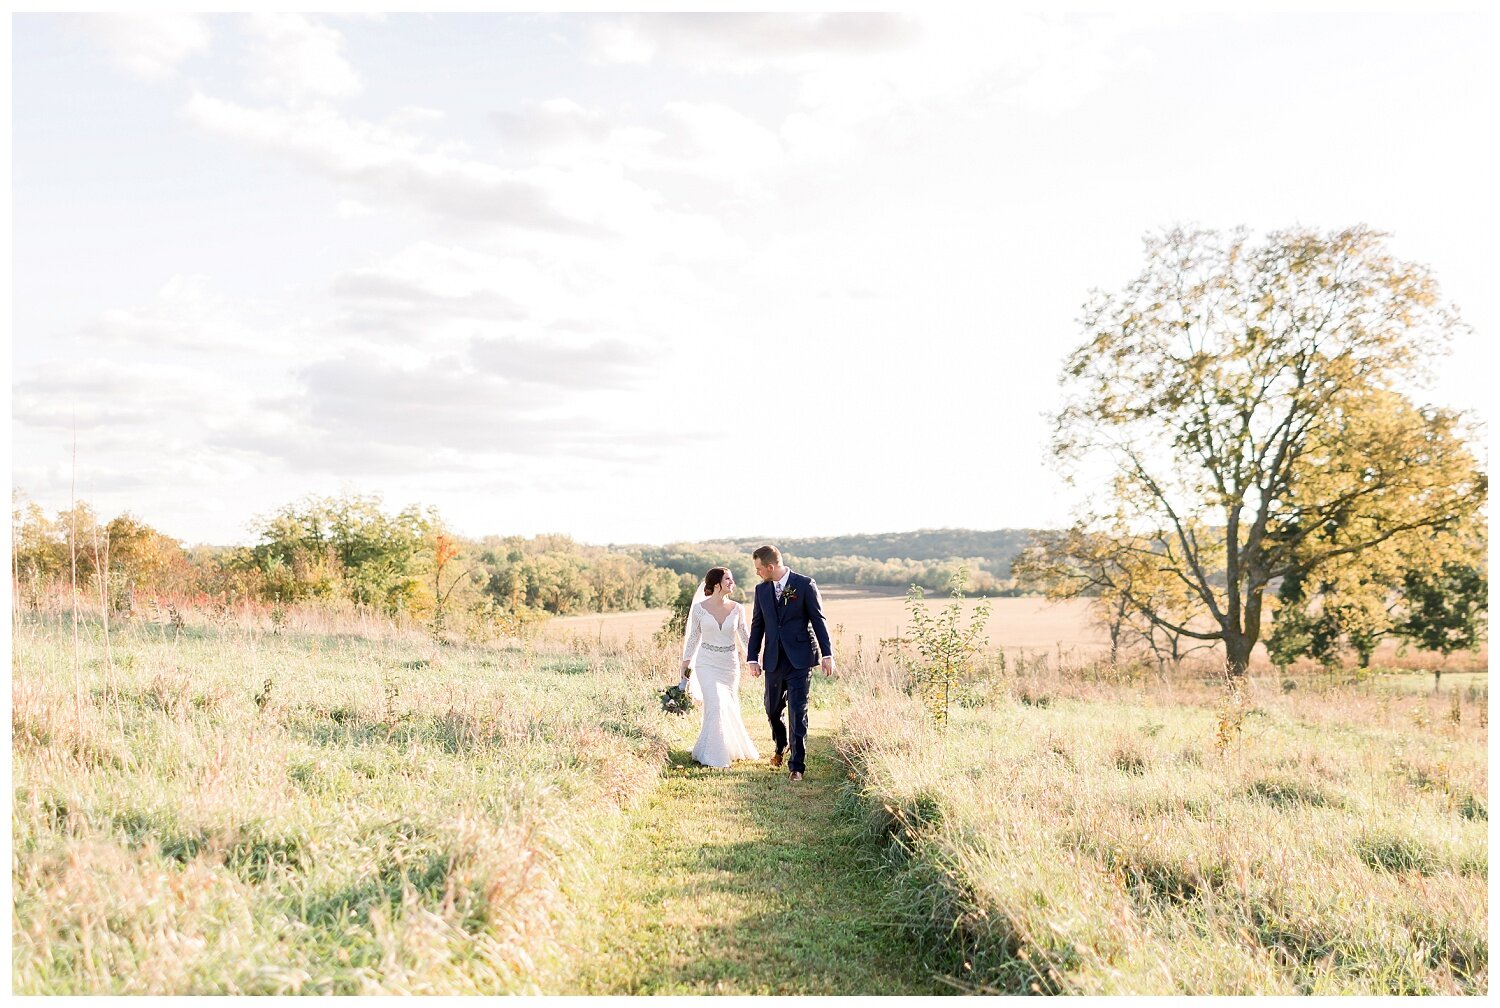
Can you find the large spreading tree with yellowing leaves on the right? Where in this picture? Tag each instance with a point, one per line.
(1243, 413)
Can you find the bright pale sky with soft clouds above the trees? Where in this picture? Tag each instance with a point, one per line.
(646, 280)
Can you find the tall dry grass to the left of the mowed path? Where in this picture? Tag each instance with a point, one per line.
(319, 806)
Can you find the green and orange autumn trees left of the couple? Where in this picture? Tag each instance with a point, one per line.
(334, 550)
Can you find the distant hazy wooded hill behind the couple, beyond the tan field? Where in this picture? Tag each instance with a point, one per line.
(928, 557)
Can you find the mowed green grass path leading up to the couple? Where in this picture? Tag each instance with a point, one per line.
(742, 883)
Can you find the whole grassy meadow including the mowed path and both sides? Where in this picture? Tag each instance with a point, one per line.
(233, 803)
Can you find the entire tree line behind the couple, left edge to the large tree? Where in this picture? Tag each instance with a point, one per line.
(407, 563)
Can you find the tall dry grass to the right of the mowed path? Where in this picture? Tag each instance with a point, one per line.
(1079, 832)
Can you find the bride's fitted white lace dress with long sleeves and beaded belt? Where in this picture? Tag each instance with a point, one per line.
(713, 652)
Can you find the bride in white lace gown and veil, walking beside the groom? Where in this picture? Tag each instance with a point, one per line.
(715, 623)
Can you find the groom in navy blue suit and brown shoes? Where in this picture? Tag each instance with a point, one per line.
(788, 613)
